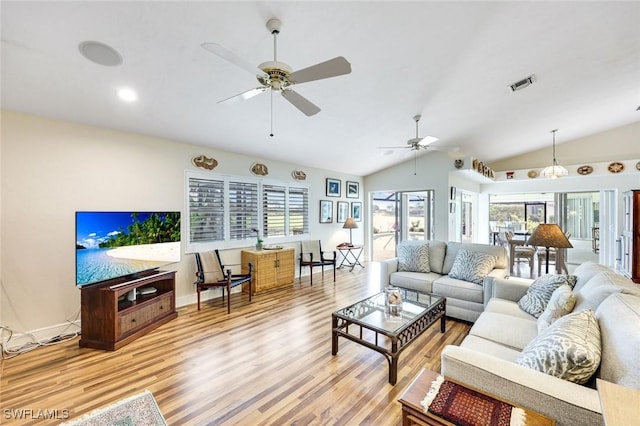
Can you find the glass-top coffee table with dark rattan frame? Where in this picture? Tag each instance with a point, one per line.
(388, 334)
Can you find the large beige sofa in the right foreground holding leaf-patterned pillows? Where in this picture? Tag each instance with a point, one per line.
(488, 359)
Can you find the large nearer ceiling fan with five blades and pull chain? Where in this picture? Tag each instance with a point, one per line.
(277, 76)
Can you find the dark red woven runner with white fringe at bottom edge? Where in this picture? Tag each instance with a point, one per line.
(466, 407)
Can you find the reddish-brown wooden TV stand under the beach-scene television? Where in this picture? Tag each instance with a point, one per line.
(109, 320)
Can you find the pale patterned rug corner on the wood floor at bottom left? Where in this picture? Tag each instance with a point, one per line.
(137, 410)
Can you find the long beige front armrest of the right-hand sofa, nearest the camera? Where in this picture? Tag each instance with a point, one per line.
(566, 402)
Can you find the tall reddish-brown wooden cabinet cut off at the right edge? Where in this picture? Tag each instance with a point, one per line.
(631, 235)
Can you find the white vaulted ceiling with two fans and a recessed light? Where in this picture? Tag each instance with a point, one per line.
(452, 62)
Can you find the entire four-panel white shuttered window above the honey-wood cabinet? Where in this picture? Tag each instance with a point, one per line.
(224, 210)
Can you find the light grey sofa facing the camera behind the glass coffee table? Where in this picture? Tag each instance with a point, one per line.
(465, 300)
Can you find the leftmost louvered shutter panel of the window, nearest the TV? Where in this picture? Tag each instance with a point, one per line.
(206, 210)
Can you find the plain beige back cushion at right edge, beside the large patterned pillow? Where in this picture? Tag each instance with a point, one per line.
(619, 319)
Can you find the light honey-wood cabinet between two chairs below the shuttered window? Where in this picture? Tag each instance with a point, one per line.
(272, 268)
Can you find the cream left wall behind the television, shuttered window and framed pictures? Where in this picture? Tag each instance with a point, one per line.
(51, 169)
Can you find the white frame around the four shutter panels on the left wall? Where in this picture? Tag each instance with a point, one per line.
(262, 184)
